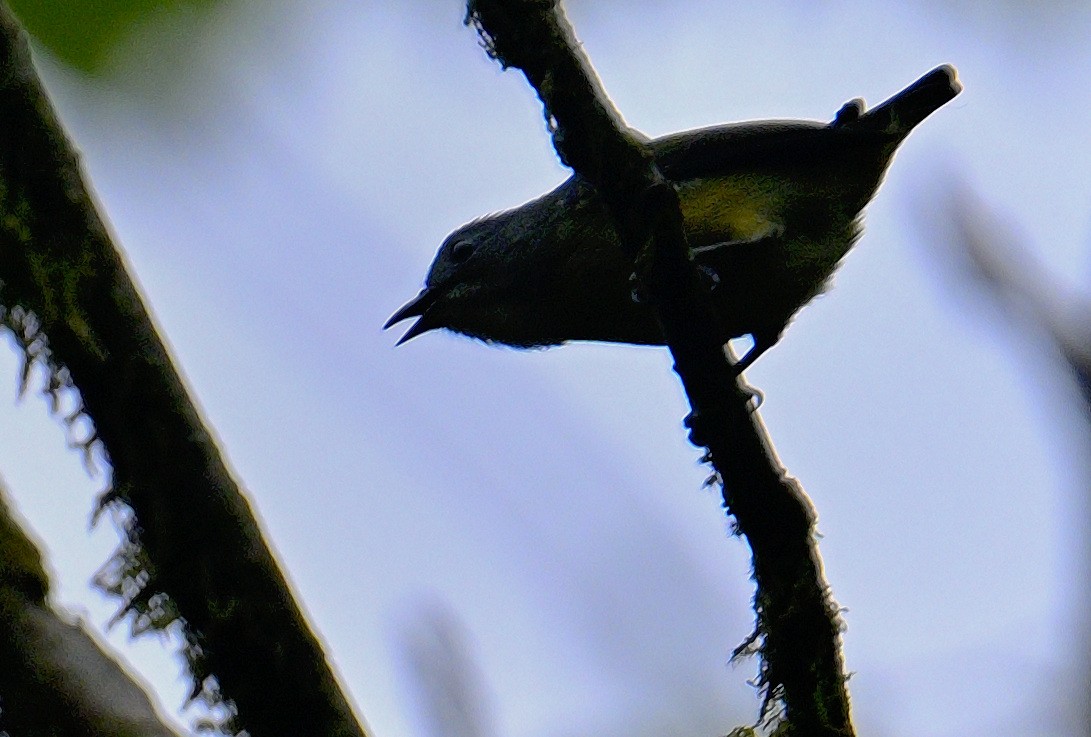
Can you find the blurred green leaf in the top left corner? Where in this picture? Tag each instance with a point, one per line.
(85, 33)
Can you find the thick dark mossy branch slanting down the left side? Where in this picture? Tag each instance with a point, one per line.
(195, 551)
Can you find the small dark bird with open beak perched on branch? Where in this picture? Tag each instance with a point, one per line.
(770, 208)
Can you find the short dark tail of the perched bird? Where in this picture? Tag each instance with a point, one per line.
(903, 113)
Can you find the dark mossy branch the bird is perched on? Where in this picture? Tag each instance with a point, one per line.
(798, 623)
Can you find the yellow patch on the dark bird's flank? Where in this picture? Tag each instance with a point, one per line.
(733, 209)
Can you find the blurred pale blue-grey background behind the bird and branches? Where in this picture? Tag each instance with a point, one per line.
(514, 543)
